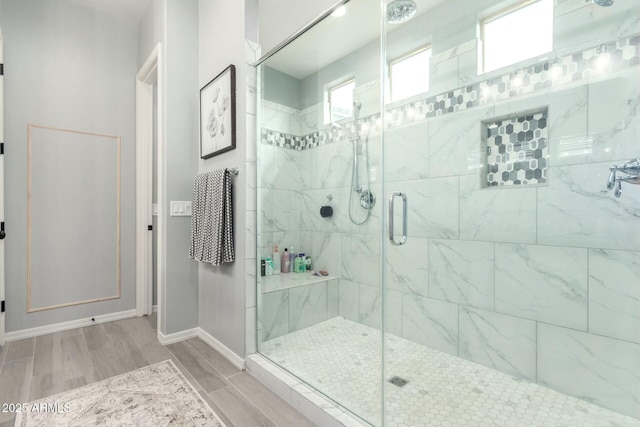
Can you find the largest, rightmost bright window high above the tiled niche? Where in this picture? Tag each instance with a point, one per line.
(521, 31)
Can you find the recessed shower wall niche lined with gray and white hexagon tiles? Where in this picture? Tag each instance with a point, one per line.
(516, 150)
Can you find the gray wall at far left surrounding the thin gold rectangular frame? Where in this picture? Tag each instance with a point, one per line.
(70, 67)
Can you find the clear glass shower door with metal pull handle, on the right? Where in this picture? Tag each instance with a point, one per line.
(514, 298)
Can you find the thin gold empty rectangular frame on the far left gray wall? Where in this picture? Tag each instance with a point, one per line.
(73, 217)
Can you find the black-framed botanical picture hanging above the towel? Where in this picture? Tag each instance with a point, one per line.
(218, 114)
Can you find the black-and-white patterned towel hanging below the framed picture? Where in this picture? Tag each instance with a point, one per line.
(212, 218)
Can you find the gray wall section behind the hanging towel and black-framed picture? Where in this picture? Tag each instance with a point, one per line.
(222, 293)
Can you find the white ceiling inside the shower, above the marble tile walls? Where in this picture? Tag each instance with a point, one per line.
(359, 26)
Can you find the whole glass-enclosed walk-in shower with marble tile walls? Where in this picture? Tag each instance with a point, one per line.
(464, 173)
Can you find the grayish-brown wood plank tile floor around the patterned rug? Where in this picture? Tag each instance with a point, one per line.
(34, 368)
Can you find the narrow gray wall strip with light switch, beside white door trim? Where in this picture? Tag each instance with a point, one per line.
(180, 299)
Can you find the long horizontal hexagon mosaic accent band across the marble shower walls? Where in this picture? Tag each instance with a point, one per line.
(589, 63)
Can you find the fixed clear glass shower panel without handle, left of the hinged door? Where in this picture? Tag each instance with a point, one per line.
(319, 193)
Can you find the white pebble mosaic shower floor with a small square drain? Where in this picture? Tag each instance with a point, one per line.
(341, 358)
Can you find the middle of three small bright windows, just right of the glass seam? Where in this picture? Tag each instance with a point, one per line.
(409, 74)
